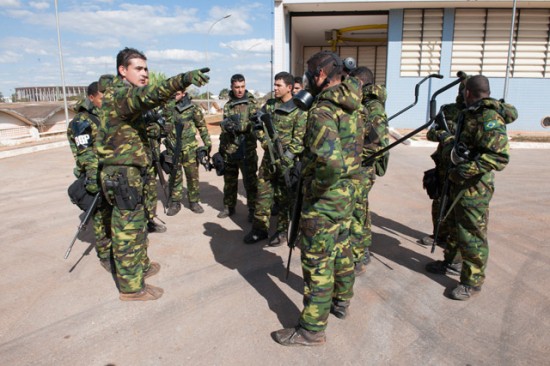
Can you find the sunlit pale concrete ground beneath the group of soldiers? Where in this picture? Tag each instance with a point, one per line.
(223, 299)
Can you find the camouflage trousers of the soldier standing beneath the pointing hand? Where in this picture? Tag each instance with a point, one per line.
(191, 169)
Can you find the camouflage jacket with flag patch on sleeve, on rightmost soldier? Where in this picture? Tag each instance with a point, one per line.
(483, 133)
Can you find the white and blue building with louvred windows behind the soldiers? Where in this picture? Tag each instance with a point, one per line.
(404, 41)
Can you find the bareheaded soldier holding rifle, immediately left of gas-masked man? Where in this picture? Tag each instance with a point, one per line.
(289, 123)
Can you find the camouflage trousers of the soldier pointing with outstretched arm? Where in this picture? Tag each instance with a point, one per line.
(128, 227)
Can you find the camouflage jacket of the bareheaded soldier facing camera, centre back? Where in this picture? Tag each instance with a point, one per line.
(243, 108)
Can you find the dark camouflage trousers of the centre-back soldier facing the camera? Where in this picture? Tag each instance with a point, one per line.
(248, 167)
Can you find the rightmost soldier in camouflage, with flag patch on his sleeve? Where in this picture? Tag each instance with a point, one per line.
(481, 148)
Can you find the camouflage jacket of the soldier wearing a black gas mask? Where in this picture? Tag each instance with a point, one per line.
(334, 138)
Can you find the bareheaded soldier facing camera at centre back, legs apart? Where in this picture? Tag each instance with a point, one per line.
(238, 147)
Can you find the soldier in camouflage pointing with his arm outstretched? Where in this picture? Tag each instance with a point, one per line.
(121, 147)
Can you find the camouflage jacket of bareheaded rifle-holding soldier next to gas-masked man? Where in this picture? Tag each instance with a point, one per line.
(289, 122)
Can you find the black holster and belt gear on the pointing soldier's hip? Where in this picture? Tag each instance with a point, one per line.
(126, 196)
